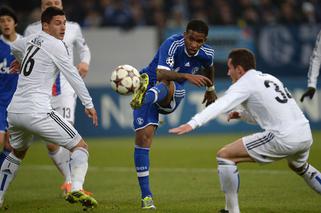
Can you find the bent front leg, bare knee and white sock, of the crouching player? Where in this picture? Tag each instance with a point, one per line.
(227, 158)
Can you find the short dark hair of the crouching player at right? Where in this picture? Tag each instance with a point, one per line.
(243, 57)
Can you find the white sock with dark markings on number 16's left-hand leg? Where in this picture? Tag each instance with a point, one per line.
(8, 171)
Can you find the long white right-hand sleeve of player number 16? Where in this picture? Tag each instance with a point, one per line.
(64, 63)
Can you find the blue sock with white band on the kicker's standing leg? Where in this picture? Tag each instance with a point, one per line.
(141, 157)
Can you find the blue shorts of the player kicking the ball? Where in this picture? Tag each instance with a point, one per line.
(148, 113)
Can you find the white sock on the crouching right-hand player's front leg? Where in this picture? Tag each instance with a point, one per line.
(230, 181)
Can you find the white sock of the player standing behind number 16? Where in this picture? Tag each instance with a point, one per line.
(61, 159)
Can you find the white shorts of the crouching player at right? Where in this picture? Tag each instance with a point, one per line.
(265, 147)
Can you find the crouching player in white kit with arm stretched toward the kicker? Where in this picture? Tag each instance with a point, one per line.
(264, 101)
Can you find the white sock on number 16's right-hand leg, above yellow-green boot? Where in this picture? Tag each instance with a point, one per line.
(78, 166)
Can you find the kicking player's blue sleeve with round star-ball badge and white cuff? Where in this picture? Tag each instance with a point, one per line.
(166, 57)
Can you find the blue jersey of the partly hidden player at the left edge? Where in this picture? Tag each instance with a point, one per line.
(8, 81)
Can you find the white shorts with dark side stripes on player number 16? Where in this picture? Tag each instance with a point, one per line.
(50, 127)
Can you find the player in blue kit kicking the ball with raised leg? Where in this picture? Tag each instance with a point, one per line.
(162, 89)
